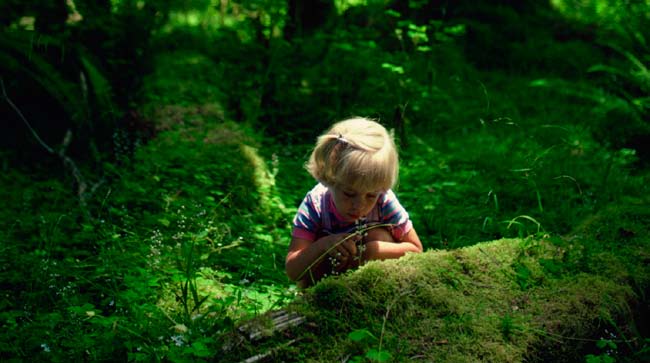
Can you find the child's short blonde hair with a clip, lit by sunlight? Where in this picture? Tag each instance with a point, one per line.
(356, 152)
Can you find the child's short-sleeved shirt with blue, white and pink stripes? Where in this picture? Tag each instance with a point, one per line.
(310, 224)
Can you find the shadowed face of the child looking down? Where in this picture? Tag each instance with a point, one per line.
(352, 203)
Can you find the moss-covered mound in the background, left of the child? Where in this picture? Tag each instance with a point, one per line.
(197, 159)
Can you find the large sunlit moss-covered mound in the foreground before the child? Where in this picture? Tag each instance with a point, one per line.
(535, 299)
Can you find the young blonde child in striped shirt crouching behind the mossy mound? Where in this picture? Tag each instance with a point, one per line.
(356, 165)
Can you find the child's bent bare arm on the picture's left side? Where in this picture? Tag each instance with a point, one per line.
(304, 253)
